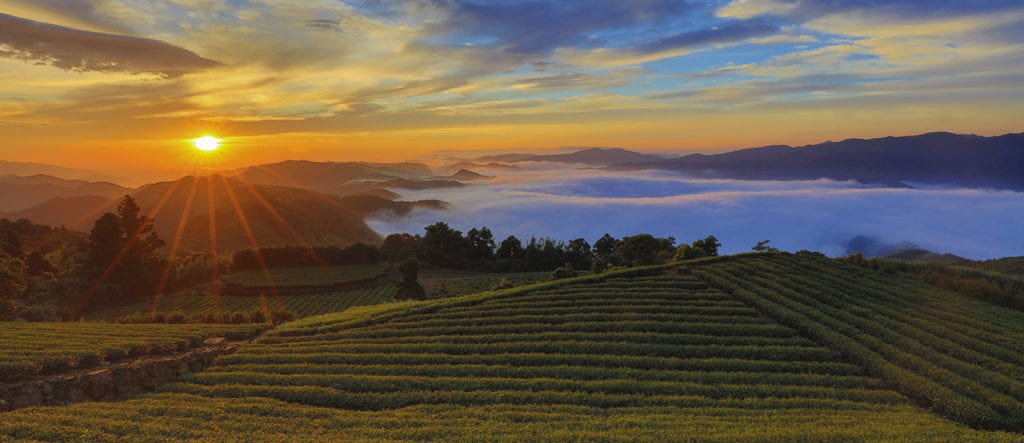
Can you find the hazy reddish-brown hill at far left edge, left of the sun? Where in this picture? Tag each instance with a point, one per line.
(19, 193)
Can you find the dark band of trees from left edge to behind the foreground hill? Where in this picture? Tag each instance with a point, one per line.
(47, 274)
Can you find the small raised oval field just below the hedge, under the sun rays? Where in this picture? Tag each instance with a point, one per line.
(306, 276)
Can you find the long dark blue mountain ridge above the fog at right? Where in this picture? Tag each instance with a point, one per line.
(937, 159)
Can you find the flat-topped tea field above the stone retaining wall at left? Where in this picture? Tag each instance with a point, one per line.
(29, 349)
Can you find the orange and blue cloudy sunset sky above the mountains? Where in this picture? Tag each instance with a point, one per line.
(117, 84)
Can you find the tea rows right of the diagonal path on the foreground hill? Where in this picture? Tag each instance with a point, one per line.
(959, 357)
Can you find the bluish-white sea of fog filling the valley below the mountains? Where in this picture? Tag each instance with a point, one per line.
(821, 215)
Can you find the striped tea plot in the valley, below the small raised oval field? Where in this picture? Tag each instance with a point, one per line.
(202, 303)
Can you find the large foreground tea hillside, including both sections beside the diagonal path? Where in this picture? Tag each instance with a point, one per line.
(758, 347)
